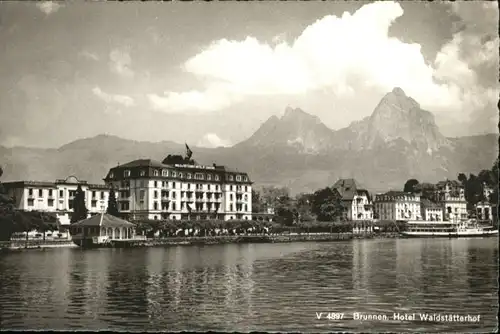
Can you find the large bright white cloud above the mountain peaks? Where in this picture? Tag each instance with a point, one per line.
(334, 54)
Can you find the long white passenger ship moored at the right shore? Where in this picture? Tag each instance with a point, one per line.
(447, 229)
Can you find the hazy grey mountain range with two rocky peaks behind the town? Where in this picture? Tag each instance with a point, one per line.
(398, 141)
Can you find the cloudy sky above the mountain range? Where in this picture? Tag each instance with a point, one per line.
(211, 73)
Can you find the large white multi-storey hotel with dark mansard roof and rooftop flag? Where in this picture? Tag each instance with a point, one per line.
(179, 188)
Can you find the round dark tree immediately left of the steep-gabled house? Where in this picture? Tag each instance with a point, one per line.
(327, 204)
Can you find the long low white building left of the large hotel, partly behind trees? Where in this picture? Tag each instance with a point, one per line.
(57, 196)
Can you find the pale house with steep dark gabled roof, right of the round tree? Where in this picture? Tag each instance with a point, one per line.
(357, 202)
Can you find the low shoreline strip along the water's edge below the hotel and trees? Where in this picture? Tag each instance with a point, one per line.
(19, 245)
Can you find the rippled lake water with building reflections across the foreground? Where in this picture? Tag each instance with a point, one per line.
(255, 287)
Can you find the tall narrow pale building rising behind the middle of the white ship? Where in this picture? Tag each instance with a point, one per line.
(451, 196)
